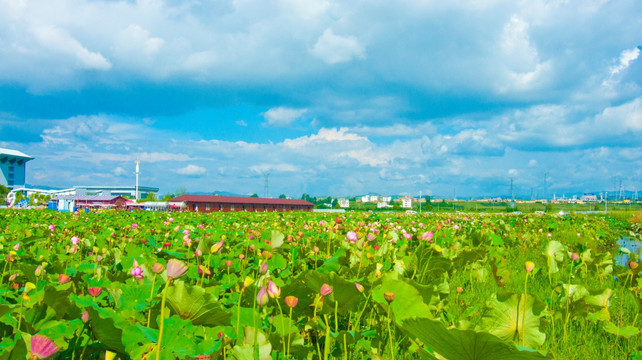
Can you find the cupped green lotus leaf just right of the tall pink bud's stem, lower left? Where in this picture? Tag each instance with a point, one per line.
(194, 303)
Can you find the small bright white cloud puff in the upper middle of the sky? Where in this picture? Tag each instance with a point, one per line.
(334, 49)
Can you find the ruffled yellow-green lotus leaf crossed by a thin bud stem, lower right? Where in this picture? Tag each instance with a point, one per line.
(512, 319)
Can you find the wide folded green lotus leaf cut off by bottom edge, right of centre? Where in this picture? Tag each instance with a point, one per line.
(463, 344)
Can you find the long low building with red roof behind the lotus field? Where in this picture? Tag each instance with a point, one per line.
(210, 203)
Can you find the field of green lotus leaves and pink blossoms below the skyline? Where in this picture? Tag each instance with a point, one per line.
(143, 285)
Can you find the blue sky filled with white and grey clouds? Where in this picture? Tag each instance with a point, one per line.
(330, 98)
